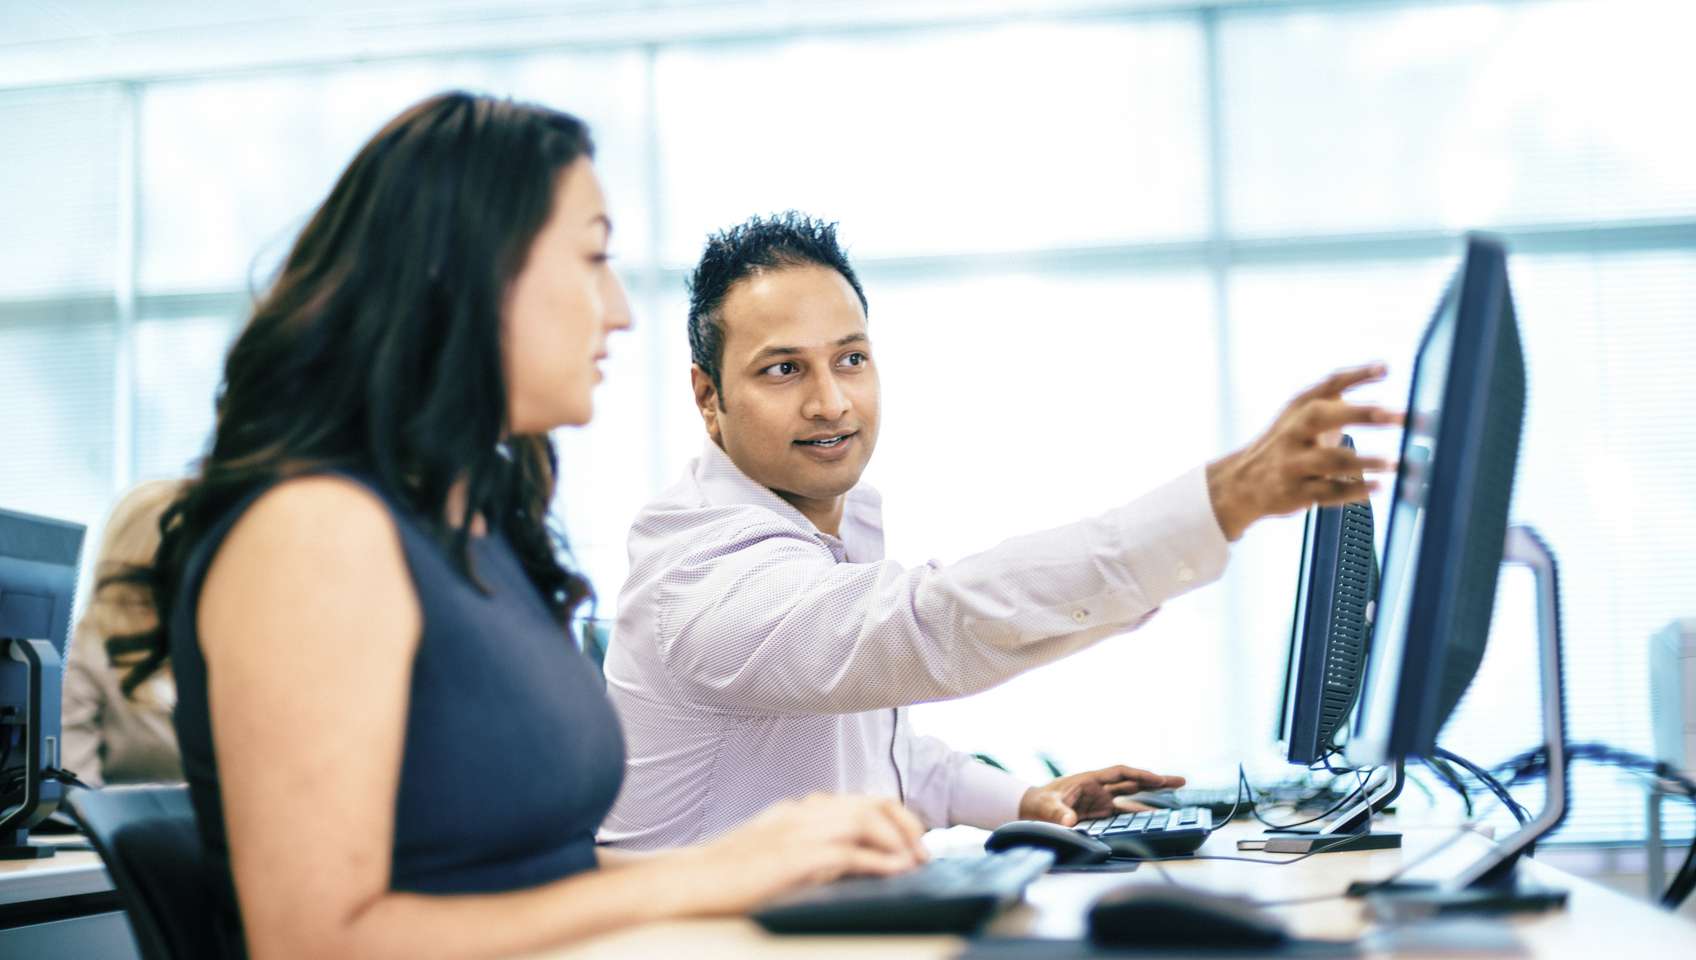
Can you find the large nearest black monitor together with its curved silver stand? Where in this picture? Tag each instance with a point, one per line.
(1448, 540)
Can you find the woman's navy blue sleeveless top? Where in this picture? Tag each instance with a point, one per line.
(513, 754)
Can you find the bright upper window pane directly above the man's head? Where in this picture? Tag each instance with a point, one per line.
(939, 143)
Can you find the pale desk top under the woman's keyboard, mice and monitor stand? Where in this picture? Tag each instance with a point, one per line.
(1598, 924)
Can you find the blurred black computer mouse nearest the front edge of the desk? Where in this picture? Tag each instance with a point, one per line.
(1168, 915)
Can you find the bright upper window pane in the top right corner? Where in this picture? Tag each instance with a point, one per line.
(1456, 116)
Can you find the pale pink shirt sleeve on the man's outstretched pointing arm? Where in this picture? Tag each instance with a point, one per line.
(766, 622)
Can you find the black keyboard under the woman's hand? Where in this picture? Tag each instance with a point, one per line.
(944, 896)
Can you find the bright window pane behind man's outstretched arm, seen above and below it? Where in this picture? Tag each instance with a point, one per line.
(1017, 403)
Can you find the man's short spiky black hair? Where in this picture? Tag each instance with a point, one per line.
(739, 254)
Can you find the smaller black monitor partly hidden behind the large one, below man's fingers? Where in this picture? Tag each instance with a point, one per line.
(1329, 632)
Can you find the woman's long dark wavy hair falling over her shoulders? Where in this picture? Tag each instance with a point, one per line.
(379, 349)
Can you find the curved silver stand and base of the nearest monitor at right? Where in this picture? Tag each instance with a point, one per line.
(1490, 885)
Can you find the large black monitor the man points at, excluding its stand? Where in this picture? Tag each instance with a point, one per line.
(1449, 515)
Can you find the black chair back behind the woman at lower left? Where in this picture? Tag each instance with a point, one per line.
(152, 849)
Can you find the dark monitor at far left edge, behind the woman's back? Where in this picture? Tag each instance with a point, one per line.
(38, 586)
